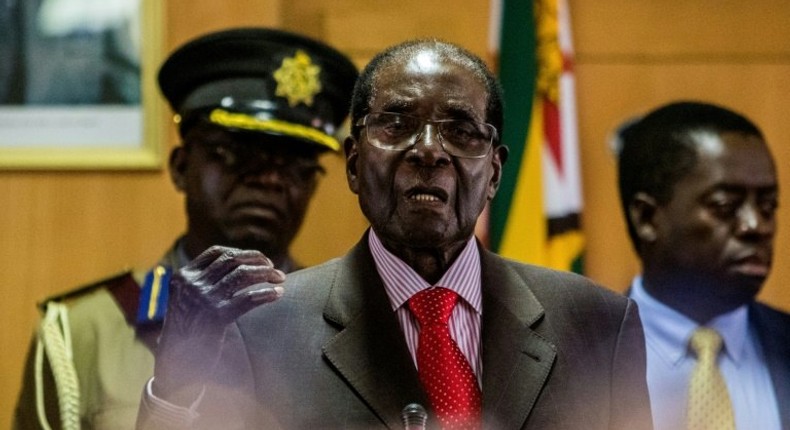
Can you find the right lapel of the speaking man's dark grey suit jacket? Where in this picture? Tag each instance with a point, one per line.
(516, 360)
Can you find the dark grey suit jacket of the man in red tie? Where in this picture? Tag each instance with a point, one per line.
(558, 353)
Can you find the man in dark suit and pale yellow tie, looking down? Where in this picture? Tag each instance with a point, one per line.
(699, 190)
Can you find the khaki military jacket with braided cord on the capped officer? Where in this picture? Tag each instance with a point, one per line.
(112, 354)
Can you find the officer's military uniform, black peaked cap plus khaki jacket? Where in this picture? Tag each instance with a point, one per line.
(93, 351)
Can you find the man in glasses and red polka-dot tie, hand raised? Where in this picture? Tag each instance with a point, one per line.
(348, 344)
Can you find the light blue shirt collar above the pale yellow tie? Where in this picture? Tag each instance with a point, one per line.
(668, 331)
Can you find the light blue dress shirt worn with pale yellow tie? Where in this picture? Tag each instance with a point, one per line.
(670, 363)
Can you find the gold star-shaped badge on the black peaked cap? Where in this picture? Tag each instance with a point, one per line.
(297, 79)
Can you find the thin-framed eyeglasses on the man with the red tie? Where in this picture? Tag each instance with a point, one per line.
(399, 132)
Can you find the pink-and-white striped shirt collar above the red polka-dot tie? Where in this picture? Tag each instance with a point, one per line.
(401, 281)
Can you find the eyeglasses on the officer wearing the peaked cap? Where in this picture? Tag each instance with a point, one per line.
(243, 158)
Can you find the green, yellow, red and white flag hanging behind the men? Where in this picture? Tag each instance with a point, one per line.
(535, 215)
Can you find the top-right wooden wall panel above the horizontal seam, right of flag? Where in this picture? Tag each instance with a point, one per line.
(681, 31)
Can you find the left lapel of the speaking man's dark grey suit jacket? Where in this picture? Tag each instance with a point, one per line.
(369, 352)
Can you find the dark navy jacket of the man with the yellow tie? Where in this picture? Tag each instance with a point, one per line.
(773, 328)
